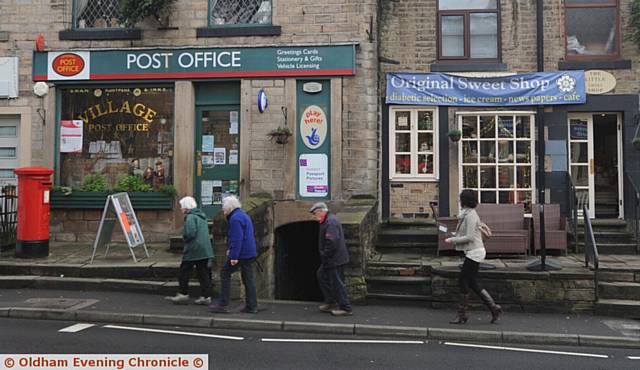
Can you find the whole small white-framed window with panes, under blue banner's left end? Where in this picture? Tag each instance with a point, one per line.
(413, 143)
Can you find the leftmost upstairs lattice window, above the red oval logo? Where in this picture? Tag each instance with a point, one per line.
(95, 14)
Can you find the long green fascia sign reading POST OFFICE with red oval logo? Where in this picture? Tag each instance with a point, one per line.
(334, 60)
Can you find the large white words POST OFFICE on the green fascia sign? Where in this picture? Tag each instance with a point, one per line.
(198, 59)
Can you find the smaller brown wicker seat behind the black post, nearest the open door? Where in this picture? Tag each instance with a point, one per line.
(555, 228)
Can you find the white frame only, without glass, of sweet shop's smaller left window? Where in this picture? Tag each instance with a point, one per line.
(414, 175)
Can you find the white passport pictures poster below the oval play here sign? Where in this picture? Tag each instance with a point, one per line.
(313, 175)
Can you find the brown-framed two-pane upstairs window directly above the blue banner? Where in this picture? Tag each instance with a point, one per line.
(469, 29)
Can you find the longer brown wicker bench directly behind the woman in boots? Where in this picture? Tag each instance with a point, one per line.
(507, 222)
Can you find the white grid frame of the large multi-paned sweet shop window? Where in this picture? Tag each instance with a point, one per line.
(531, 140)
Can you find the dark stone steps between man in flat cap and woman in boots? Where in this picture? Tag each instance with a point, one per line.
(406, 279)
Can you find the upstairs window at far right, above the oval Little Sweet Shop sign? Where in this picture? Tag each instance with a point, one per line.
(587, 39)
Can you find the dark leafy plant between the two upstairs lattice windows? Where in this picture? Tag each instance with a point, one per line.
(134, 11)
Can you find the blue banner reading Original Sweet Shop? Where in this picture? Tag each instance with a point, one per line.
(544, 88)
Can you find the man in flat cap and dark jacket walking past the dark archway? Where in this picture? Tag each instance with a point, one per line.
(333, 256)
